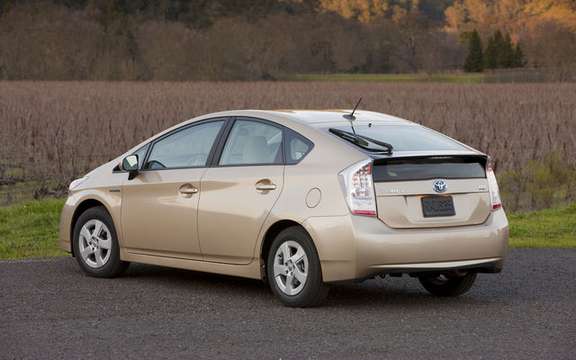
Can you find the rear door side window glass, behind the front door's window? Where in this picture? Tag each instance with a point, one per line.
(252, 143)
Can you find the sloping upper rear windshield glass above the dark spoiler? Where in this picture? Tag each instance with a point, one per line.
(407, 137)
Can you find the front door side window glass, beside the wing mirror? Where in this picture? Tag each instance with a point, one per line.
(185, 148)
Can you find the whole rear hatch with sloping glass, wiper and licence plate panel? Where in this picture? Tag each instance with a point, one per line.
(422, 178)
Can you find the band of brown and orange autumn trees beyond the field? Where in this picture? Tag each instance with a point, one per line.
(271, 39)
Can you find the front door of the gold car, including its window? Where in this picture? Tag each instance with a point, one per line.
(159, 210)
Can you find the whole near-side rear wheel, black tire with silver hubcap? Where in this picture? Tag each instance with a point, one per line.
(286, 272)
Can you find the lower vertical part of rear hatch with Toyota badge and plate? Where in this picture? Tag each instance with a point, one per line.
(431, 191)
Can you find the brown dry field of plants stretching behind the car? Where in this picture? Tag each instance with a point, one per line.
(51, 132)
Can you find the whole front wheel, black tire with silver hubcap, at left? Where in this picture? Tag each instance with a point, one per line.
(97, 254)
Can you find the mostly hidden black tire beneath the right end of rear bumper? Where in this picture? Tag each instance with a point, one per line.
(449, 284)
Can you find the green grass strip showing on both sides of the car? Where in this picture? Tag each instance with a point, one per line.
(30, 229)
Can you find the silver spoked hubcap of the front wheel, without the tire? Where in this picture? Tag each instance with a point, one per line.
(95, 243)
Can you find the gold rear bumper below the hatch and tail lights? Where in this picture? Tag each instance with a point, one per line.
(355, 247)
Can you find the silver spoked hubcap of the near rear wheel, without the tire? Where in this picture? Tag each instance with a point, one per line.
(290, 268)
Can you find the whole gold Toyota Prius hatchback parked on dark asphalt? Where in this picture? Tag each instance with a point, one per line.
(300, 199)
